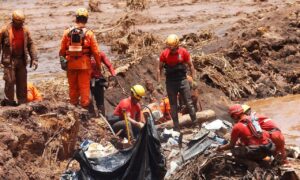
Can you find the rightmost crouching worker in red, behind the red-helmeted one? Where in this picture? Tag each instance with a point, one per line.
(275, 133)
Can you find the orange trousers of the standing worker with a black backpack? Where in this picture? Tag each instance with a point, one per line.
(79, 86)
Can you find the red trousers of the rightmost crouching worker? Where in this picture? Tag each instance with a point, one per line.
(278, 140)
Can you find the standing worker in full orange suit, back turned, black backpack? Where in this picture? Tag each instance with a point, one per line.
(78, 44)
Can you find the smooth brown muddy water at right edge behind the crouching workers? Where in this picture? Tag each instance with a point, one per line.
(285, 112)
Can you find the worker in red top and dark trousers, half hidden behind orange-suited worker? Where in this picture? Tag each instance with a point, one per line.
(98, 82)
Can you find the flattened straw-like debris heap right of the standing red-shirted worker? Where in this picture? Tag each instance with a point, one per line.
(217, 72)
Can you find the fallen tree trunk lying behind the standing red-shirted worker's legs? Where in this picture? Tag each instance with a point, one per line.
(185, 120)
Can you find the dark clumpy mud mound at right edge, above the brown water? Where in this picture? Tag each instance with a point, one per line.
(266, 53)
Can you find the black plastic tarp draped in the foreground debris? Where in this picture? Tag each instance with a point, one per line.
(143, 161)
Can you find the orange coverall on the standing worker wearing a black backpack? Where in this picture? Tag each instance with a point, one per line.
(79, 68)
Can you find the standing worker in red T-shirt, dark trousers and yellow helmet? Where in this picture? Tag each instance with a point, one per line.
(174, 60)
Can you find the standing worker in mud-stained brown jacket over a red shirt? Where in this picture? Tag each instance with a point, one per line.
(16, 45)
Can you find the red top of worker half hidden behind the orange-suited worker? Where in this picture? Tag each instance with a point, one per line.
(96, 71)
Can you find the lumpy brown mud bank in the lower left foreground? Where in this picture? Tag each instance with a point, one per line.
(38, 138)
